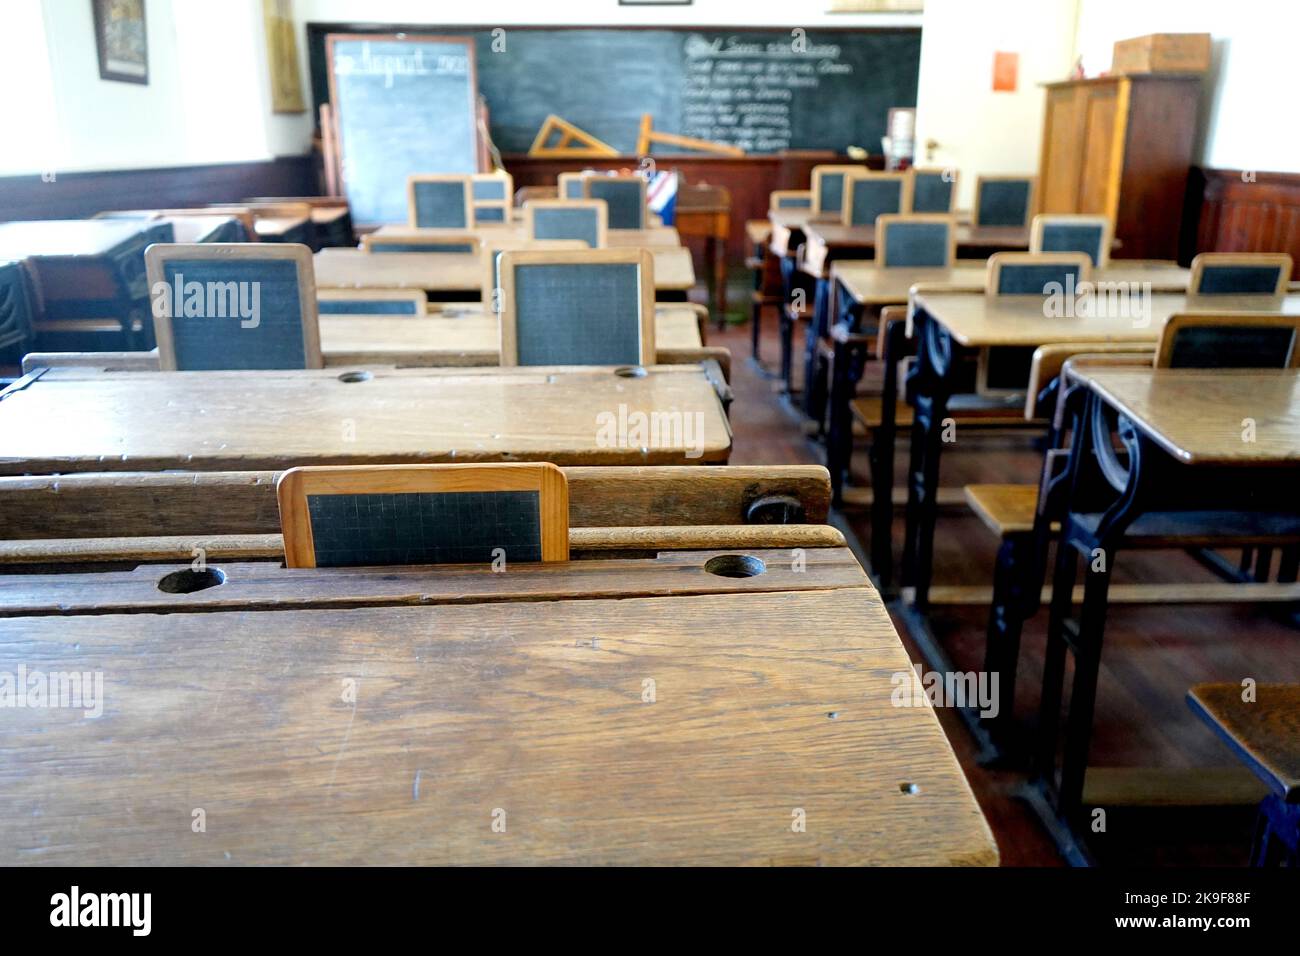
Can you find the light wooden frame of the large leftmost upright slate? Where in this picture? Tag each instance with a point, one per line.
(155, 267)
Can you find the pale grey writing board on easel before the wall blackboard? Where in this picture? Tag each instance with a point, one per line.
(402, 106)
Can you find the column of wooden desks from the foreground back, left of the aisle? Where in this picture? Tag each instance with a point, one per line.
(566, 712)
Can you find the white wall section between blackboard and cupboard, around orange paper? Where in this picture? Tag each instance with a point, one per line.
(981, 132)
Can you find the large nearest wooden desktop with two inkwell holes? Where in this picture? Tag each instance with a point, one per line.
(482, 732)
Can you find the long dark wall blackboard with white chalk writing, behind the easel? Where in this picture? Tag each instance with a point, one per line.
(705, 84)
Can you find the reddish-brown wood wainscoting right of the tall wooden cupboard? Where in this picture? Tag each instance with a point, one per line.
(1246, 213)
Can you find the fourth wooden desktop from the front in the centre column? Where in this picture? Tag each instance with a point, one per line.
(440, 274)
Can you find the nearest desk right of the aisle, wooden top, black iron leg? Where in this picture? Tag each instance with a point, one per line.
(1189, 473)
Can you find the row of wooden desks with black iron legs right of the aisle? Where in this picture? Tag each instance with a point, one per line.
(1188, 457)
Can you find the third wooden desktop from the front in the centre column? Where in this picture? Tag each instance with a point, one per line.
(457, 338)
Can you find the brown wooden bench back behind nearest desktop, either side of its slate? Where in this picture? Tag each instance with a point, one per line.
(128, 520)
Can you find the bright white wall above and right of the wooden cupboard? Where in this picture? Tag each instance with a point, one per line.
(1247, 122)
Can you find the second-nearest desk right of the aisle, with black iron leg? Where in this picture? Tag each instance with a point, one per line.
(947, 323)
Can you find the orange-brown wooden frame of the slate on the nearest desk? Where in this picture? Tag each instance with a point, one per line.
(297, 485)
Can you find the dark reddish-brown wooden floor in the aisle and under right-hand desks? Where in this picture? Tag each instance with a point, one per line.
(1152, 656)
